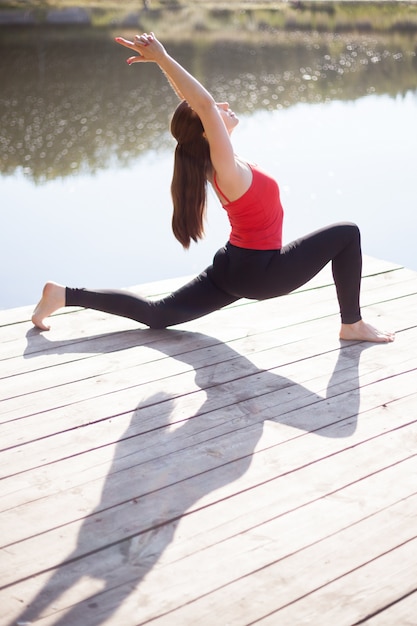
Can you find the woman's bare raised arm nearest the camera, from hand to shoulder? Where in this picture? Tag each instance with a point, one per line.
(149, 49)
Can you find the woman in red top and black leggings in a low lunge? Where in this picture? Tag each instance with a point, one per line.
(253, 264)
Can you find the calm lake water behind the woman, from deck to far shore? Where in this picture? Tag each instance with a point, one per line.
(86, 159)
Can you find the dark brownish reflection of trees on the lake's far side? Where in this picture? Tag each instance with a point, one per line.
(71, 106)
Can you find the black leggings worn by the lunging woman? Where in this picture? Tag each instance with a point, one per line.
(242, 273)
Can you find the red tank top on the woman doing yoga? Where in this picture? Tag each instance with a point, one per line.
(256, 217)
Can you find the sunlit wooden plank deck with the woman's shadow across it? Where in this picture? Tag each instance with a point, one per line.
(244, 468)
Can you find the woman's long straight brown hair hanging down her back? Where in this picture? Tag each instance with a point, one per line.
(189, 181)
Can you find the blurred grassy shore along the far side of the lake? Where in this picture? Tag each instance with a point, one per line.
(185, 17)
